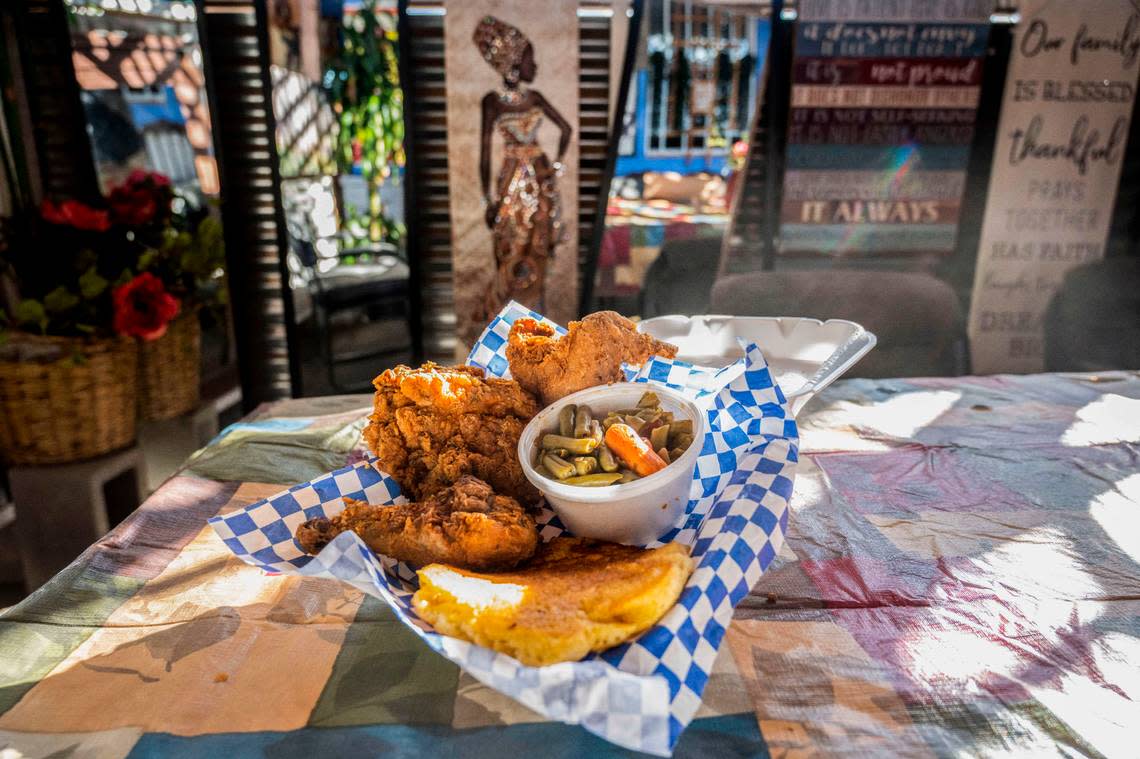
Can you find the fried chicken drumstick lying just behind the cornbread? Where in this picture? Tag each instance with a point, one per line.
(466, 526)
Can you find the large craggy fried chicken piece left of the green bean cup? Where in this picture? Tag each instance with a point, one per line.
(435, 425)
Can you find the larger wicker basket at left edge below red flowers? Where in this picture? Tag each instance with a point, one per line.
(66, 399)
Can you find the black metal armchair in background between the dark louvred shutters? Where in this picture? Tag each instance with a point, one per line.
(374, 279)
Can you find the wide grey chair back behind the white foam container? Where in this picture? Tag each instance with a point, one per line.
(917, 319)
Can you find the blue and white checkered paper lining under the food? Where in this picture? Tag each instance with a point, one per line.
(641, 695)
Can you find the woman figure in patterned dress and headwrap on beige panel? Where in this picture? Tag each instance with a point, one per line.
(525, 213)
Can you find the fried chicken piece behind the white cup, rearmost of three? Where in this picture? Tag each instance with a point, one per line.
(590, 355)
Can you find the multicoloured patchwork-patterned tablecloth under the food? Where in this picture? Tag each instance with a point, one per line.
(962, 577)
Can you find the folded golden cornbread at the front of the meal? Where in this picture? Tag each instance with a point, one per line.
(575, 597)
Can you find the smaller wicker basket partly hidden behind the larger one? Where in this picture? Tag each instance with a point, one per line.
(169, 371)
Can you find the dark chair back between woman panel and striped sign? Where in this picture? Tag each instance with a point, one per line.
(681, 278)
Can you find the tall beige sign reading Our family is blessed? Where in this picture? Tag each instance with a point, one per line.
(1057, 165)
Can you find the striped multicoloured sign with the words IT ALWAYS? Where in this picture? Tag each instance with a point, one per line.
(883, 109)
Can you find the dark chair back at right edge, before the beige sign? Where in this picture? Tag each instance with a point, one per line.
(1094, 321)
